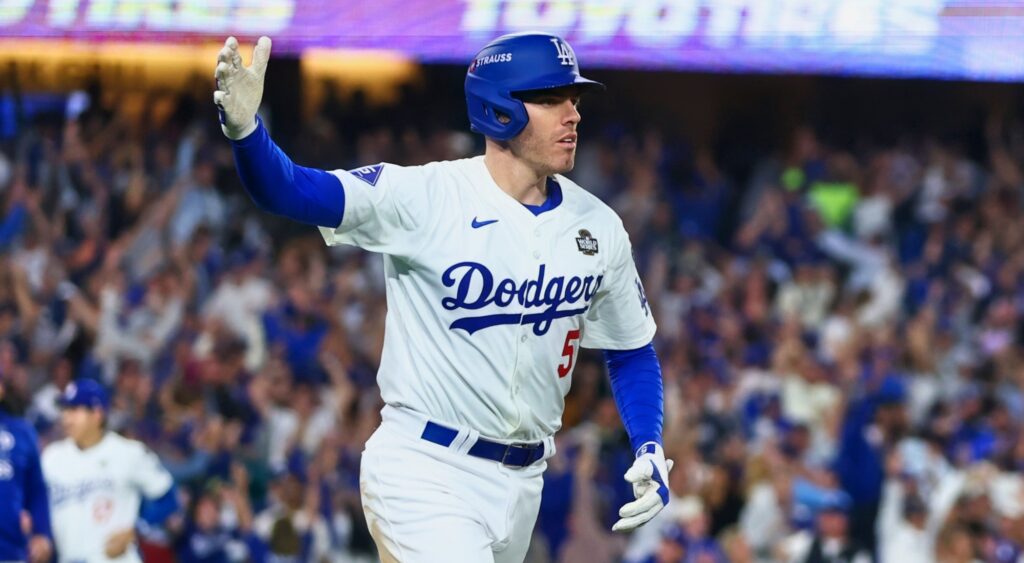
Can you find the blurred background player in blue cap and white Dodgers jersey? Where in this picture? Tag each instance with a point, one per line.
(97, 482)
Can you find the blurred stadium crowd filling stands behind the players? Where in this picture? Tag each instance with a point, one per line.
(839, 336)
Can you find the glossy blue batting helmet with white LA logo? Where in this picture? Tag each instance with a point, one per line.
(513, 64)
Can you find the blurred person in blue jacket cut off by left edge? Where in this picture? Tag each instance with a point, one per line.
(22, 492)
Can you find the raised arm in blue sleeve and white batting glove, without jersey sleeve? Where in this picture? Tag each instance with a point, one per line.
(276, 184)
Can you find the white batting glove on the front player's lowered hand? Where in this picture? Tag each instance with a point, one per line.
(650, 477)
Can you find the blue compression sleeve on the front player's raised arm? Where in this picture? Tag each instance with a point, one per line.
(279, 186)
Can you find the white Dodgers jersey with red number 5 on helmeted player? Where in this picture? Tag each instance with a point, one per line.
(488, 302)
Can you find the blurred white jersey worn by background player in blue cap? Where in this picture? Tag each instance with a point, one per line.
(98, 492)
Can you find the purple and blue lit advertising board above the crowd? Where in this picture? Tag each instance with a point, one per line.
(955, 39)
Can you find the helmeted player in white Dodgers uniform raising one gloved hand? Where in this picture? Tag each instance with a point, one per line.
(498, 270)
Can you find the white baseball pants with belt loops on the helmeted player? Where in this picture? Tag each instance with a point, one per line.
(425, 503)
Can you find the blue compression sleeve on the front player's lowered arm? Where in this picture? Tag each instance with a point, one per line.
(636, 386)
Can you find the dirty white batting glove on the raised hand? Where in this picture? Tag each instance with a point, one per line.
(240, 90)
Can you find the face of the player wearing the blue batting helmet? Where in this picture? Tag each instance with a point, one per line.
(548, 144)
